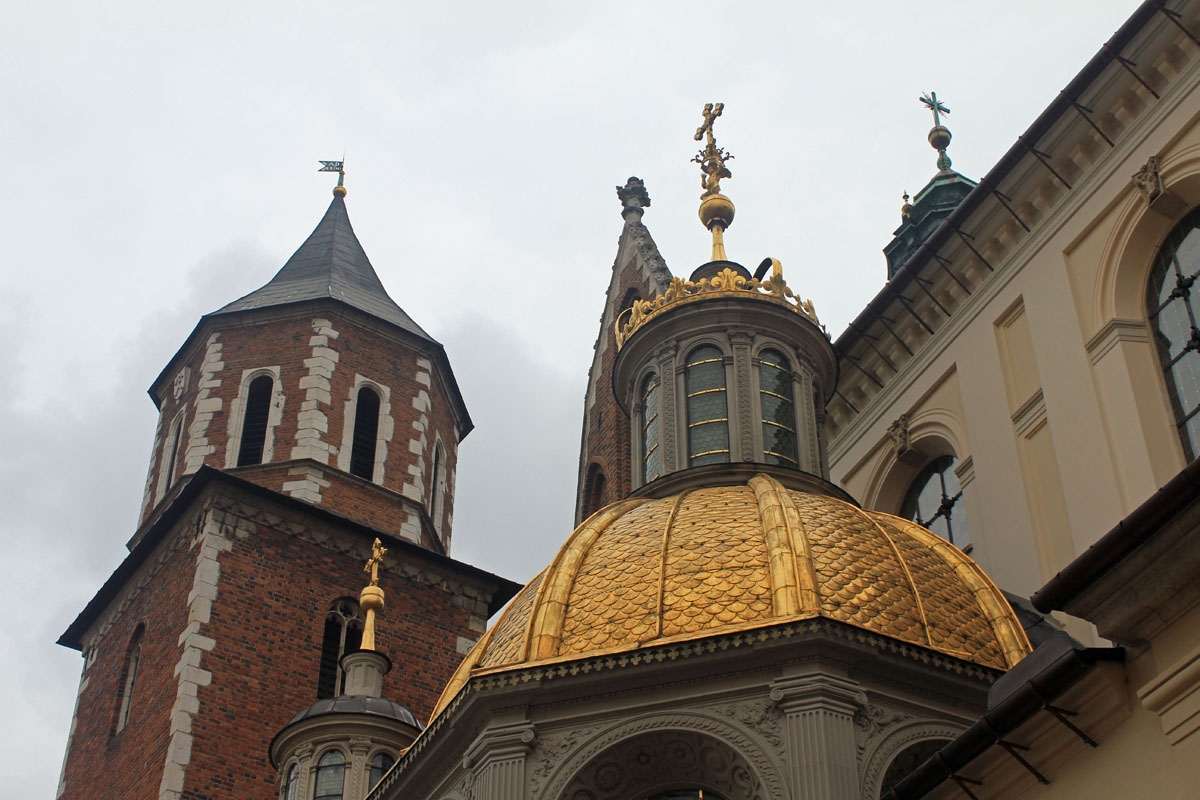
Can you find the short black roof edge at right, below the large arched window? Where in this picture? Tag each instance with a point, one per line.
(1126, 537)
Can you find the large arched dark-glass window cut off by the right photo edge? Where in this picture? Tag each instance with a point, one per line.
(1173, 306)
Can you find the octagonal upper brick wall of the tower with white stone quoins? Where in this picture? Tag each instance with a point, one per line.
(321, 354)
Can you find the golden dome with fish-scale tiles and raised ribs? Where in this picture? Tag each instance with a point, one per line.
(647, 572)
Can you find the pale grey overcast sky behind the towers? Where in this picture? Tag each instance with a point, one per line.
(160, 160)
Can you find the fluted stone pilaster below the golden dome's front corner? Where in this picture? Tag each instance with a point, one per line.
(819, 713)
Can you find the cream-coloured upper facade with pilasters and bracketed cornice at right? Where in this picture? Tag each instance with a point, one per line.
(1045, 381)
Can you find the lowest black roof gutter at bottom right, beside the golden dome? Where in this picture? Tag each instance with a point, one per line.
(1028, 696)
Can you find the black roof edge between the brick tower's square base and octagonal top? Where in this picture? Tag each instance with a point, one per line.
(196, 484)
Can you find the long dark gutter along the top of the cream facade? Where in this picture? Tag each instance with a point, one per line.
(1046, 121)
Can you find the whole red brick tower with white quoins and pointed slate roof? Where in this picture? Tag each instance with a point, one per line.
(297, 425)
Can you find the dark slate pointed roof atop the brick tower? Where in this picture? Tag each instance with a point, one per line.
(333, 264)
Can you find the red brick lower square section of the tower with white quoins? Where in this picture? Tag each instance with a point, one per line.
(221, 677)
